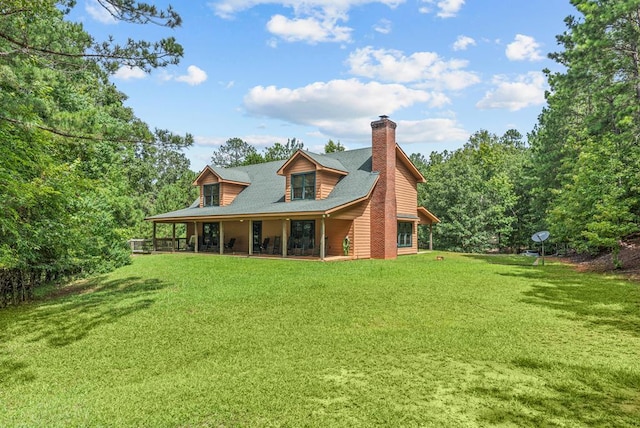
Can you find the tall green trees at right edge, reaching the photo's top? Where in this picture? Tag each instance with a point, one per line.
(585, 144)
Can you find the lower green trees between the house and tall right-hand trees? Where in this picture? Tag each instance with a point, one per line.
(473, 191)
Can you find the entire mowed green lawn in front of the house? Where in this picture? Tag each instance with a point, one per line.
(209, 341)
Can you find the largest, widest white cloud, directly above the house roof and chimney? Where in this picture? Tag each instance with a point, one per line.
(337, 107)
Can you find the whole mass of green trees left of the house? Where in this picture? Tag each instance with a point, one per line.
(78, 171)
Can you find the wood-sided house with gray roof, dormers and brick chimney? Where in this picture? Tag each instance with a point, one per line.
(361, 203)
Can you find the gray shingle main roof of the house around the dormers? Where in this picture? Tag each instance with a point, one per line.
(265, 194)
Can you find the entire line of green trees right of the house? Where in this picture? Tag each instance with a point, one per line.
(578, 174)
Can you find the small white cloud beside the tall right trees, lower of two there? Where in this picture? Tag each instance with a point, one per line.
(526, 90)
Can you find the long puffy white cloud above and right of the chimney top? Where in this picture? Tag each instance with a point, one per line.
(427, 69)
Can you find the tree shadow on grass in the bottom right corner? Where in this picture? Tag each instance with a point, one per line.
(572, 394)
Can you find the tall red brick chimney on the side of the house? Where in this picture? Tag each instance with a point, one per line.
(384, 226)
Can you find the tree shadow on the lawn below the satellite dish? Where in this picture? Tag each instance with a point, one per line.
(594, 298)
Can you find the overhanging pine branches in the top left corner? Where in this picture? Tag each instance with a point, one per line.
(22, 22)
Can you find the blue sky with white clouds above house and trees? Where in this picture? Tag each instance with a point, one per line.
(266, 70)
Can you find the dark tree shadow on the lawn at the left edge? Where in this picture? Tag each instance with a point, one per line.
(69, 315)
